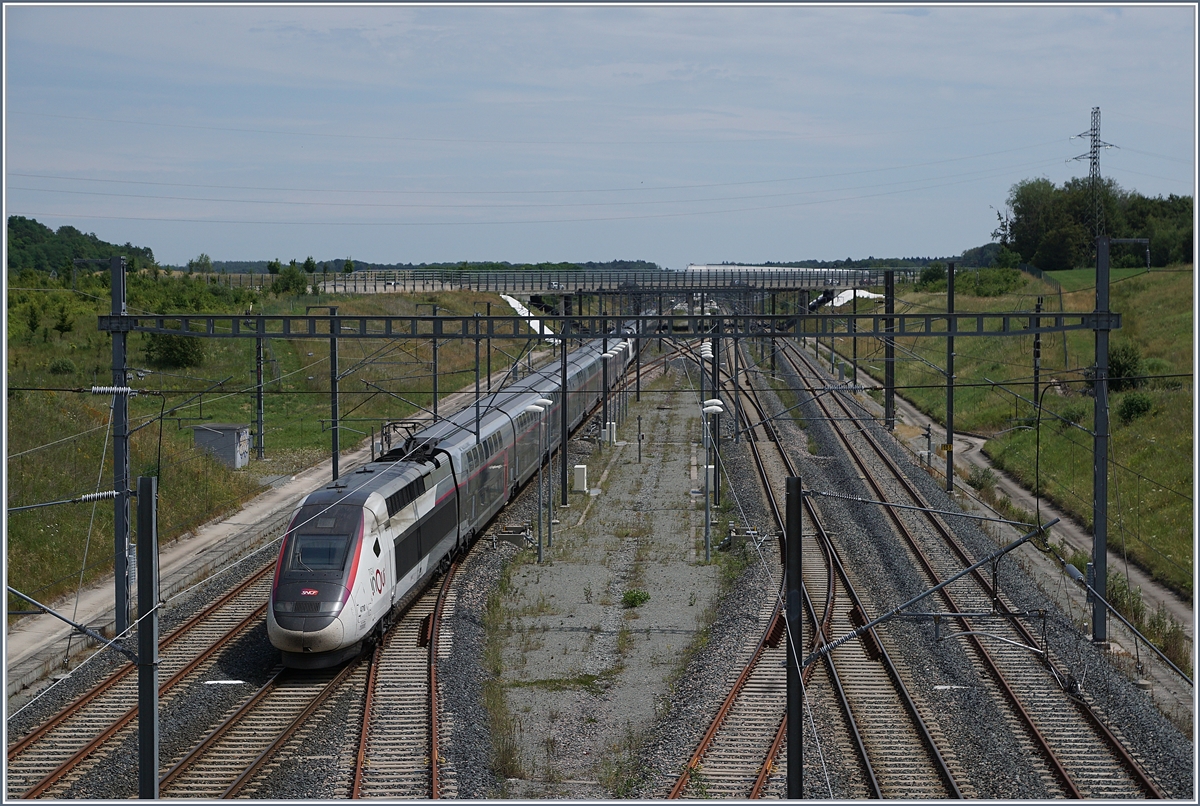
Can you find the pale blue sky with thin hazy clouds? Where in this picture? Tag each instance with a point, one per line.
(676, 135)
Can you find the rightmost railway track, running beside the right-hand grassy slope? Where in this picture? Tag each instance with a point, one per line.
(1073, 753)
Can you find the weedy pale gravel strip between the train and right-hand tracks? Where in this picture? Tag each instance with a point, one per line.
(586, 676)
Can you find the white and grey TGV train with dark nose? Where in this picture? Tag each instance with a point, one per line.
(361, 550)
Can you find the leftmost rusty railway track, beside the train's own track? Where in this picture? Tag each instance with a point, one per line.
(47, 761)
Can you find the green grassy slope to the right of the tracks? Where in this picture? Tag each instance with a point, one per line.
(1151, 472)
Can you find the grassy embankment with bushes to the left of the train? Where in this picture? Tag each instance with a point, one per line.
(59, 441)
